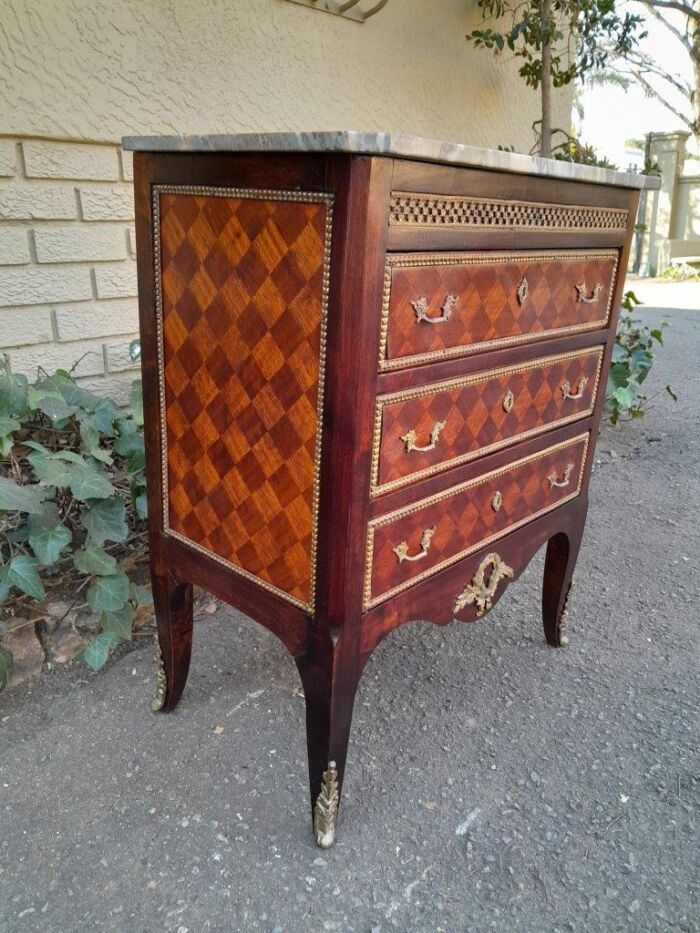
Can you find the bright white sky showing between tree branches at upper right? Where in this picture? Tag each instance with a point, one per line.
(613, 115)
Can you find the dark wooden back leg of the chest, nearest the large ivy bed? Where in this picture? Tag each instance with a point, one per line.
(172, 601)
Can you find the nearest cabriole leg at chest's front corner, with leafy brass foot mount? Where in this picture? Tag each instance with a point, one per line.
(330, 677)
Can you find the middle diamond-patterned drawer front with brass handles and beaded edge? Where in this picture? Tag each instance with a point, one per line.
(419, 432)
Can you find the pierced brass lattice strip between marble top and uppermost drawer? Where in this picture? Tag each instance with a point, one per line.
(410, 209)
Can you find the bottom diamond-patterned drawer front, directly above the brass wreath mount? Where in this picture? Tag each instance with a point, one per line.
(418, 540)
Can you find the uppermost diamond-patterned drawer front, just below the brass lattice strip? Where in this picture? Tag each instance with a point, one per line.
(443, 305)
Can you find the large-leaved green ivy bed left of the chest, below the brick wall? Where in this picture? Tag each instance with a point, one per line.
(72, 503)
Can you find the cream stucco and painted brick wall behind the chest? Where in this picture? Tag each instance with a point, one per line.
(93, 70)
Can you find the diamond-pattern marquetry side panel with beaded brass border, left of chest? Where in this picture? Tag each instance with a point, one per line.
(243, 318)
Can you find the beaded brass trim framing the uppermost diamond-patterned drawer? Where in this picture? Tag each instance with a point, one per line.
(489, 258)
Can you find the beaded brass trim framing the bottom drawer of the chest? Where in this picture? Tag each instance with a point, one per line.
(370, 601)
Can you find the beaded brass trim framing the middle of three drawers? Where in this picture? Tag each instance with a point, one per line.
(405, 395)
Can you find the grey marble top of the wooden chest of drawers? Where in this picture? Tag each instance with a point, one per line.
(389, 144)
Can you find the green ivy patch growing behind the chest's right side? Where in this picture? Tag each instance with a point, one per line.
(632, 359)
